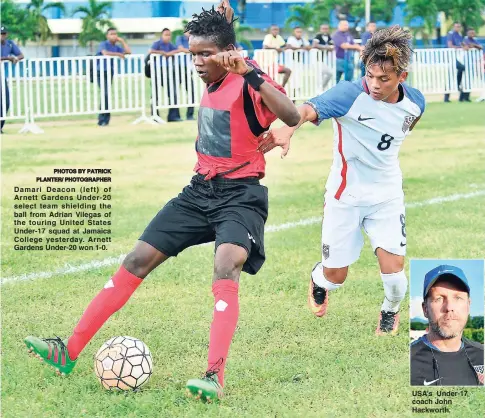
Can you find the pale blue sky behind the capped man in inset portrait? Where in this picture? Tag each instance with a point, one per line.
(474, 272)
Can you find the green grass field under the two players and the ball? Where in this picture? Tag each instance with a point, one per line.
(283, 361)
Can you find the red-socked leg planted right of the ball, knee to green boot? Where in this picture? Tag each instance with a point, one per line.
(228, 263)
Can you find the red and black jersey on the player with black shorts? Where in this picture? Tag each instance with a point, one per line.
(232, 117)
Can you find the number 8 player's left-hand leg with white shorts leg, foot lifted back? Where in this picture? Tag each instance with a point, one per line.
(342, 242)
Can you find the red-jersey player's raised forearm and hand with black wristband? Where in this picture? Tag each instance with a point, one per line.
(277, 102)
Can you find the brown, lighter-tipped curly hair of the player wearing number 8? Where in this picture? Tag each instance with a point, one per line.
(389, 44)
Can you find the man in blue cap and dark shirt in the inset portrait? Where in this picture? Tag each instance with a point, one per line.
(442, 357)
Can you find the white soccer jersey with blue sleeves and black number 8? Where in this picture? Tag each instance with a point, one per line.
(367, 137)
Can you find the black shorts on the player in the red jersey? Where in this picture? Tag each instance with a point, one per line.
(231, 211)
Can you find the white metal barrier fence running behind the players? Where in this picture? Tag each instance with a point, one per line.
(64, 87)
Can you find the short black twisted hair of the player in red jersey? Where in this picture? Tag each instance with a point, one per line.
(213, 25)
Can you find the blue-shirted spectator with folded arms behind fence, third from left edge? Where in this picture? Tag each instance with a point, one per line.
(166, 49)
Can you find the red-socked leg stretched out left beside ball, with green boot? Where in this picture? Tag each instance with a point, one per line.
(62, 355)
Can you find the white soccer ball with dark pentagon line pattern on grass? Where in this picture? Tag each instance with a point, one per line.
(123, 363)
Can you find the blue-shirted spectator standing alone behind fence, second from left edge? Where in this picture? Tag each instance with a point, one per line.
(109, 48)
